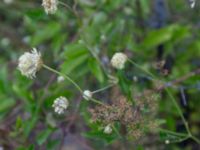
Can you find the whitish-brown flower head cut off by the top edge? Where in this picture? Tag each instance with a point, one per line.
(50, 6)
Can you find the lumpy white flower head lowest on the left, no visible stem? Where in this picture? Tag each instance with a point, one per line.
(60, 104)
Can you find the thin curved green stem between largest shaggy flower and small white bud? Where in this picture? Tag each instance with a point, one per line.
(64, 75)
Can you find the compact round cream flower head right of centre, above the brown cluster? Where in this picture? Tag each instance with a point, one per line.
(118, 60)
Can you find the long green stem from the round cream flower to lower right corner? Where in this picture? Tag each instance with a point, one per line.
(173, 100)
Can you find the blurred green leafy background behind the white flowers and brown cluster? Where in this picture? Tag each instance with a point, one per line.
(148, 31)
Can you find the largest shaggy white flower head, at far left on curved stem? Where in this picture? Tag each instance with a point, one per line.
(29, 63)
